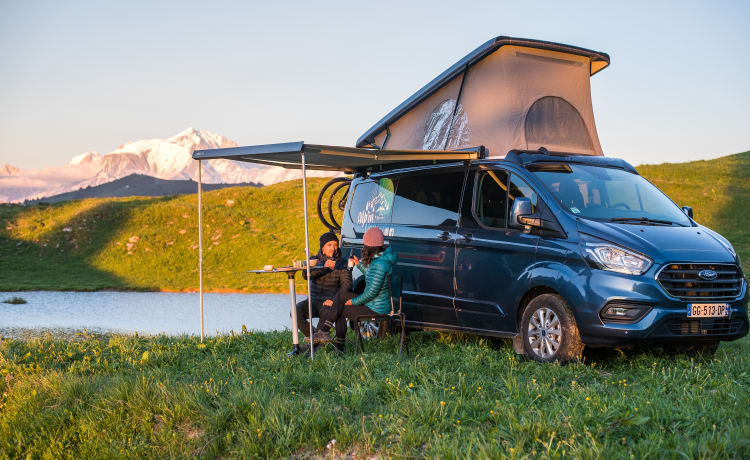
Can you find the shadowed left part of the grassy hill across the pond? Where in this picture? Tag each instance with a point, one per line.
(61, 256)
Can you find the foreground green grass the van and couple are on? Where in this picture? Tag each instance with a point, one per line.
(453, 397)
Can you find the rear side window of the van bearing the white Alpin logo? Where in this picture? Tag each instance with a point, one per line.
(372, 203)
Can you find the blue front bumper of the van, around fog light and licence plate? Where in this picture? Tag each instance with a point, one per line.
(667, 320)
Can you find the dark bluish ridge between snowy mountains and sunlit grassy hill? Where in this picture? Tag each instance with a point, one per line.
(136, 185)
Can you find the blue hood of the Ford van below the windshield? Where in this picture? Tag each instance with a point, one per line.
(661, 243)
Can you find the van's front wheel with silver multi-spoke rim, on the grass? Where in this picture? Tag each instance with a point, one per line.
(559, 339)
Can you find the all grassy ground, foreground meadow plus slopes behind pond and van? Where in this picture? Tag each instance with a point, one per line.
(239, 395)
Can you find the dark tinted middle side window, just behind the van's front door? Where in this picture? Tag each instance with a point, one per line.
(428, 199)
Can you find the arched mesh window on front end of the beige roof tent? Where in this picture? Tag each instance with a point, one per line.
(554, 121)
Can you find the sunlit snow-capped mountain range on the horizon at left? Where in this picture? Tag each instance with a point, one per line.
(161, 158)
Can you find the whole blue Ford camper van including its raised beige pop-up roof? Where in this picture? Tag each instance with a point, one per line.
(543, 240)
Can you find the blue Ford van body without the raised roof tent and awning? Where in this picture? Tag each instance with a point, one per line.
(556, 251)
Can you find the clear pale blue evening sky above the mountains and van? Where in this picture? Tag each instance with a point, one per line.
(81, 76)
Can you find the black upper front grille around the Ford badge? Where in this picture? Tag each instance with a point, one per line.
(682, 281)
